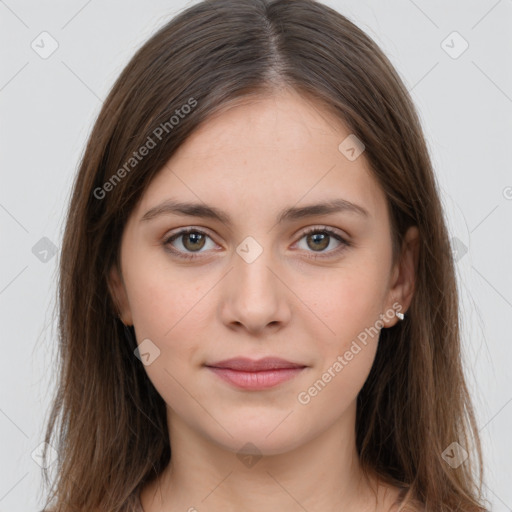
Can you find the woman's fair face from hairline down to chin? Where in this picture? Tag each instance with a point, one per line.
(266, 278)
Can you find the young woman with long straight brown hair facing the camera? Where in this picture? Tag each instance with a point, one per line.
(258, 308)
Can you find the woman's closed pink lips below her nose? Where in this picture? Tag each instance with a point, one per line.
(256, 374)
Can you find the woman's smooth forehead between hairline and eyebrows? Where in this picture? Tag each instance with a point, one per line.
(268, 152)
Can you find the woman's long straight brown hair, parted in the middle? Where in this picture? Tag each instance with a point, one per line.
(107, 421)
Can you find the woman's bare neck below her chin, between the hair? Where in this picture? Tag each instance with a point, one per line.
(321, 474)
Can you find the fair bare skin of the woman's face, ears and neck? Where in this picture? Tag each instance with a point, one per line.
(252, 161)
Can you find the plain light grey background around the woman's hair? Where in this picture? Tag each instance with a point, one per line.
(48, 106)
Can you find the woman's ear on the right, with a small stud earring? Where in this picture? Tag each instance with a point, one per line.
(403, 277)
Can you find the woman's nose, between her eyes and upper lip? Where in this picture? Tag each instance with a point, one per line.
(254, 296)
